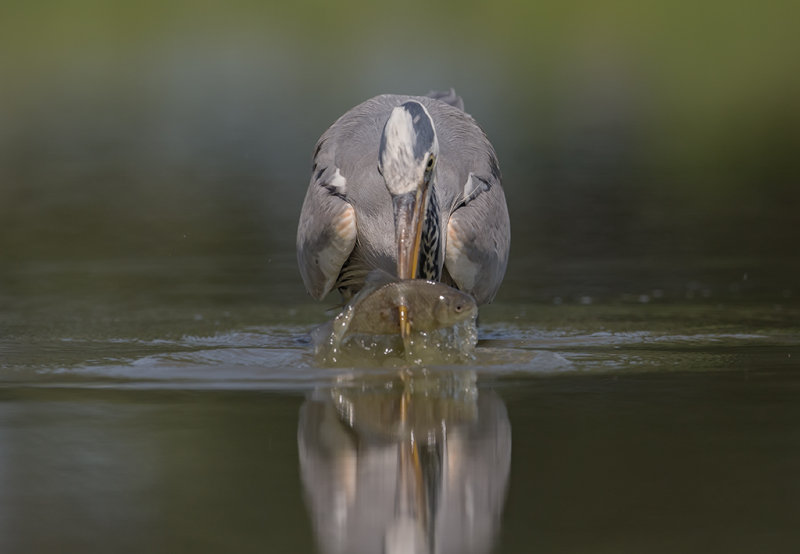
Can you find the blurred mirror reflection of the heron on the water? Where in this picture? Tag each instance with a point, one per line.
(405, 464)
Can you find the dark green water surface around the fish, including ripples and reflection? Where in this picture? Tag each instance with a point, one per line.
(170, 404)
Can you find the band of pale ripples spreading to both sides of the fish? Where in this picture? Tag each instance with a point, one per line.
(281, 357)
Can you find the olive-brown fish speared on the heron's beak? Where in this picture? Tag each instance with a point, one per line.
(431, 305)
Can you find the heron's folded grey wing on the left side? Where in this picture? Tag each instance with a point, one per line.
(326, 233)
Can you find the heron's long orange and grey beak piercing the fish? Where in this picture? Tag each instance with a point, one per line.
(409, 214)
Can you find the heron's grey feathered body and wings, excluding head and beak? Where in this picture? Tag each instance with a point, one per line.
(346, 224)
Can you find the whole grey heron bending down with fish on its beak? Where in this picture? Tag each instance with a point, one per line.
(410, 185)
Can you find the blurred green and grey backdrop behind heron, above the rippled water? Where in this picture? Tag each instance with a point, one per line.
(625, 130)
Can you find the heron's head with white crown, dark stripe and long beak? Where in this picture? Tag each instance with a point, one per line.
(407, 159)
